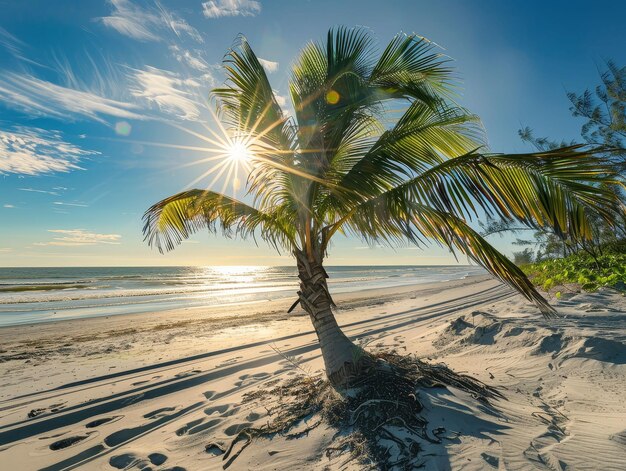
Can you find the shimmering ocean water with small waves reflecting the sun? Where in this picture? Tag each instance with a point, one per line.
(31, 295)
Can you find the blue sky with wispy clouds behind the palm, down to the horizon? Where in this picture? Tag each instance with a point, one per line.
(87, 87)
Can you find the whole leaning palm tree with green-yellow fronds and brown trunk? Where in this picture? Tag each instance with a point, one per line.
(377, 149)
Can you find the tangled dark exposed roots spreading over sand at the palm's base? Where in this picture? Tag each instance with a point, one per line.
(378, 419)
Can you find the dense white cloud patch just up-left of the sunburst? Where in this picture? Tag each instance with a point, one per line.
(165, 89)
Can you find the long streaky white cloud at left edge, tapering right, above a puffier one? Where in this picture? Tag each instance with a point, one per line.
(39, 97)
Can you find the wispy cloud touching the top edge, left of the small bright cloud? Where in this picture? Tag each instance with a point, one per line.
(147, 24)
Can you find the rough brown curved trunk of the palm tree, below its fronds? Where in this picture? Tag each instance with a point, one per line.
(343, 360)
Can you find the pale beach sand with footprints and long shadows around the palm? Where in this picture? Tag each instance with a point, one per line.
(150, 391)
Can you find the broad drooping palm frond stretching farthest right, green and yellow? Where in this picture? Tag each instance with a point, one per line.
(561, 189)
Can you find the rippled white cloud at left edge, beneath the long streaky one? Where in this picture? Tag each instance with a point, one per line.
(32, 151)
